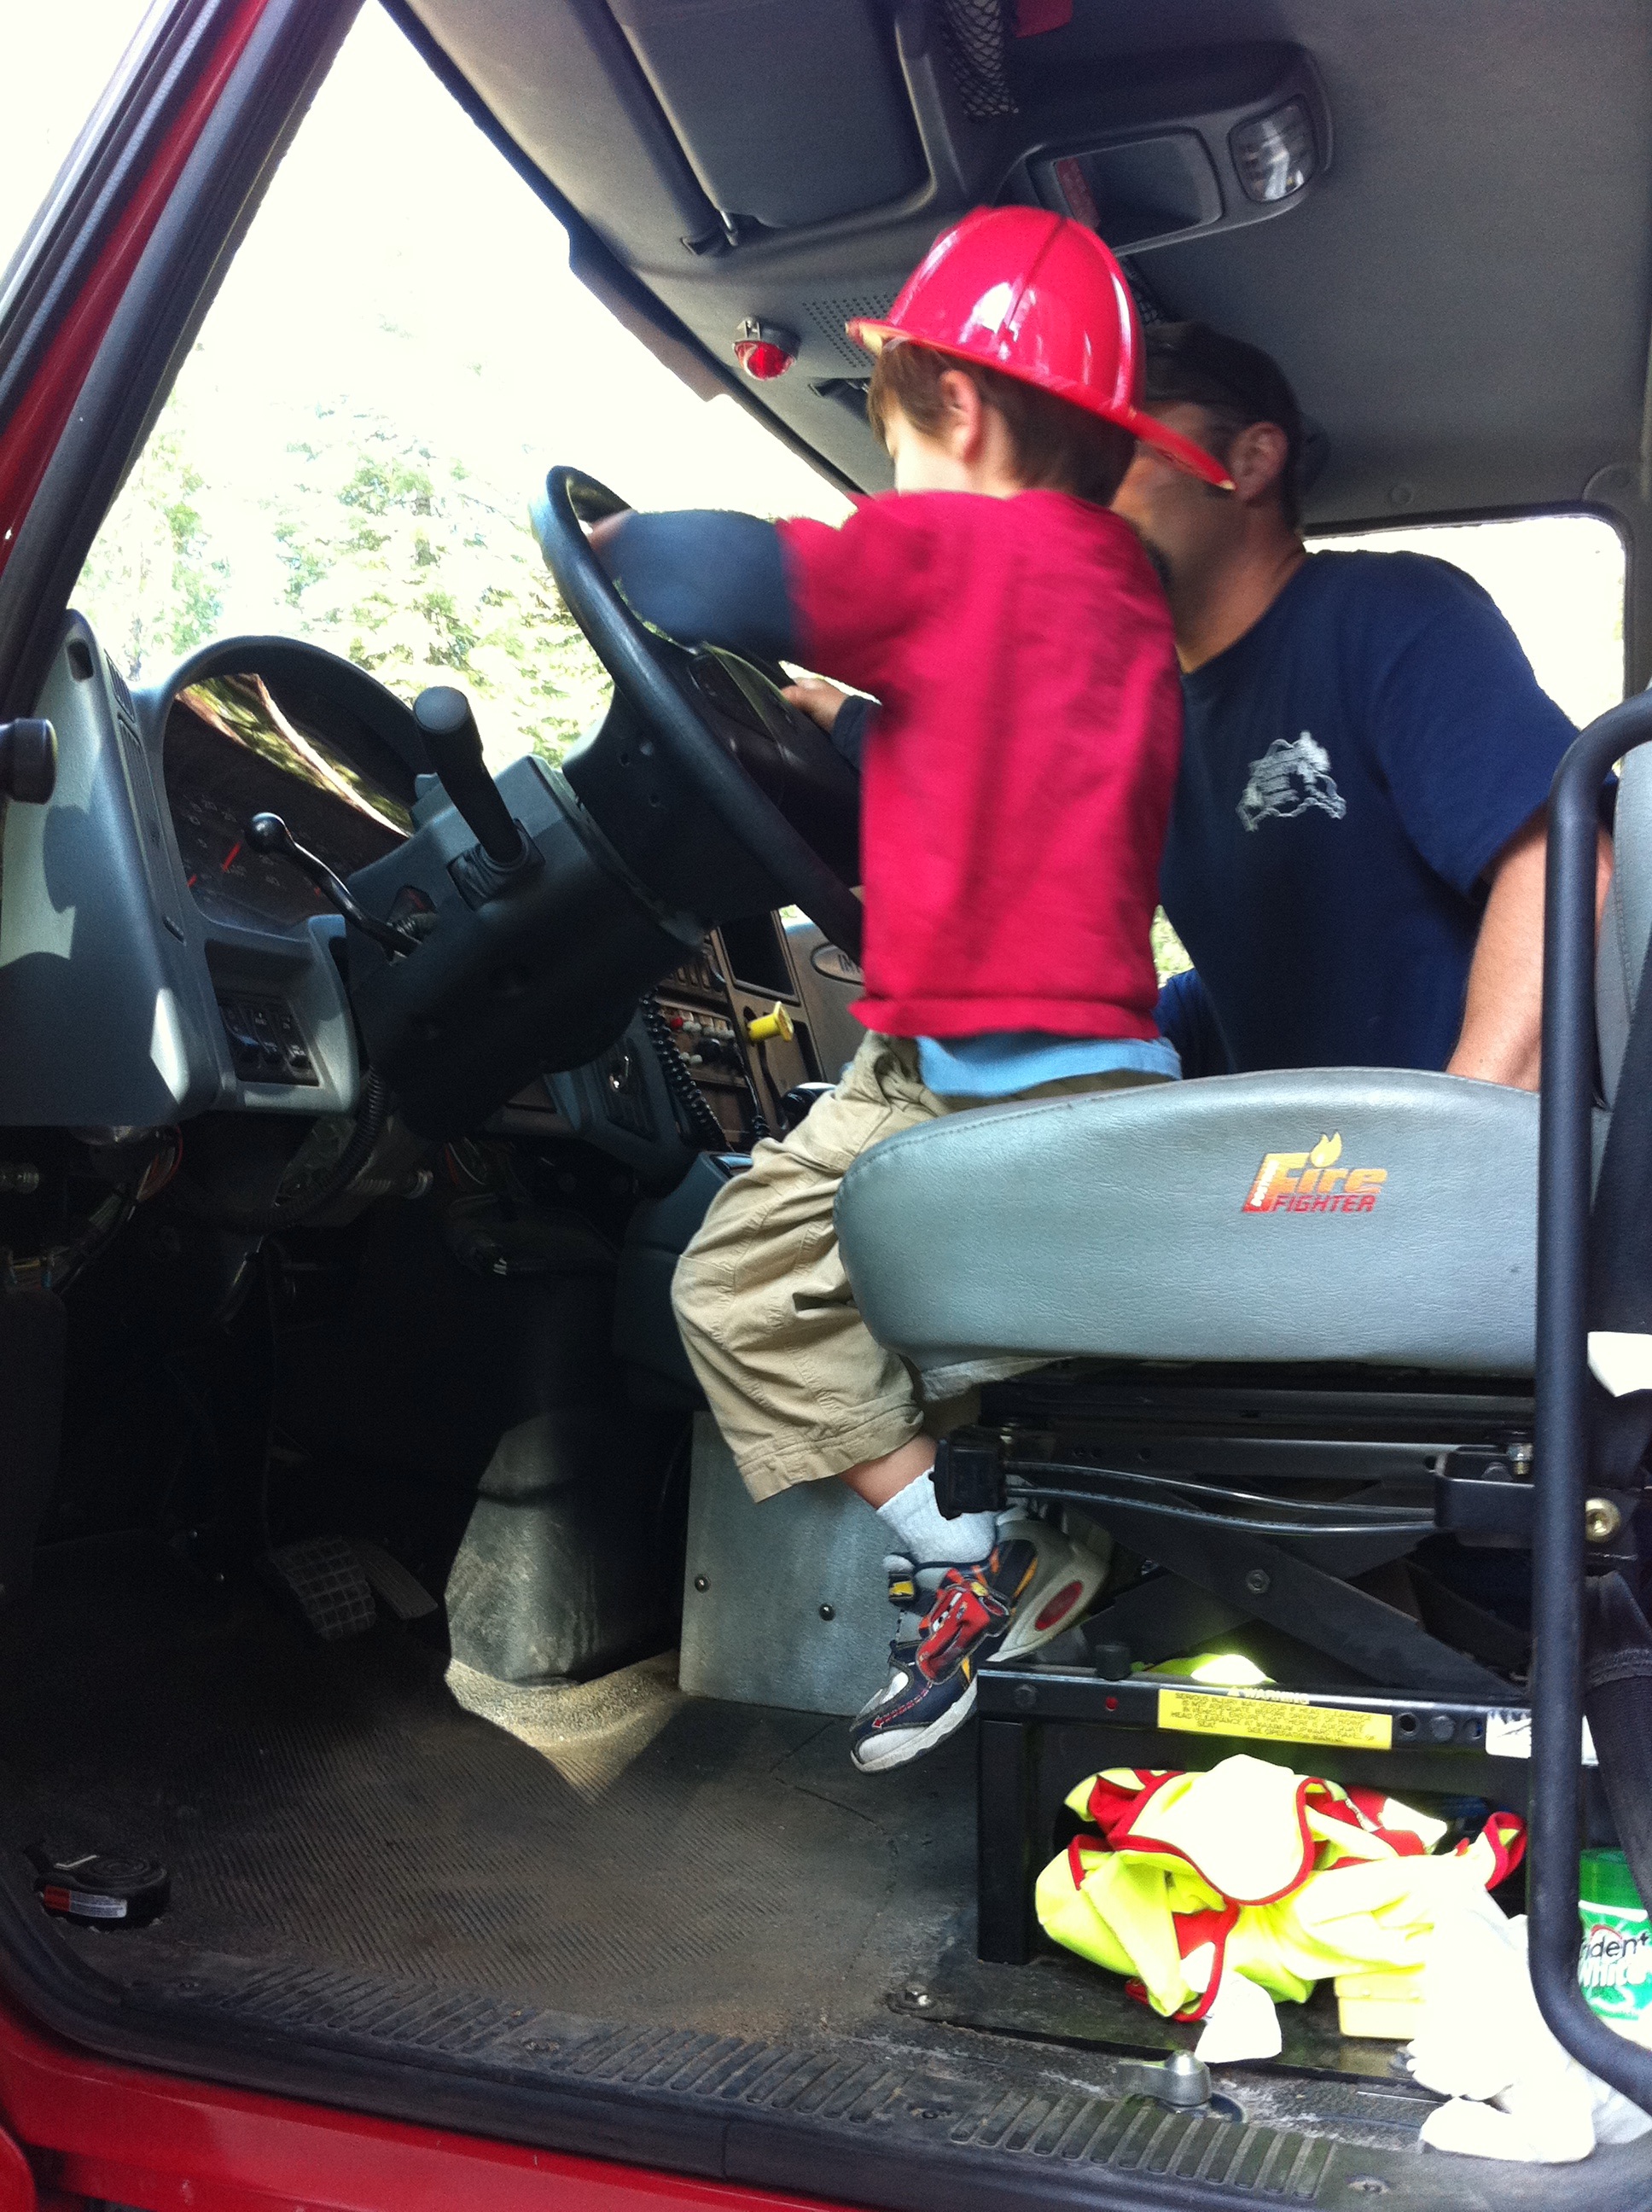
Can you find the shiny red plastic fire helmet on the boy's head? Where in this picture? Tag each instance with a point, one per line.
(1041, 298)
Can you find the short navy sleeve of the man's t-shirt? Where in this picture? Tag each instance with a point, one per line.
(1463, 731)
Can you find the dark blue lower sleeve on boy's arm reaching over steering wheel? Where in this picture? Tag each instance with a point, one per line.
(707, 578)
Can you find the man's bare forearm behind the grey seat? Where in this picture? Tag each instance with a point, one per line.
(1505, 1014)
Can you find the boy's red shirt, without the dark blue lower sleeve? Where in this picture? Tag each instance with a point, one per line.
(1021, 773)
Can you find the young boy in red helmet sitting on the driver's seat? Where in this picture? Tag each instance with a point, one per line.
(1018, 786)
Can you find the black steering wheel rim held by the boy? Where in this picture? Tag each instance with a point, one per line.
(649, 682)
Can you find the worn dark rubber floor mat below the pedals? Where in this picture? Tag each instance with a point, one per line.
(335, 1804)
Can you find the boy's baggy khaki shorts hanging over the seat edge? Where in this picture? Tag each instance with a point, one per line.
(795, 1379)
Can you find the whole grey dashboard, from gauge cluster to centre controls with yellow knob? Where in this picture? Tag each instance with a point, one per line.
(160, 968)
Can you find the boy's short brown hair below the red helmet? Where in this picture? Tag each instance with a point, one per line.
(1058, 446)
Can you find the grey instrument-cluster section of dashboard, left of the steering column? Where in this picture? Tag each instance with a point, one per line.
(156, 963)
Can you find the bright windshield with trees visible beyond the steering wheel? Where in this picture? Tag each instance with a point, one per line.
(397, 357)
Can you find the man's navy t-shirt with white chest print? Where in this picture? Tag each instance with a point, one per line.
(1350, 771)
